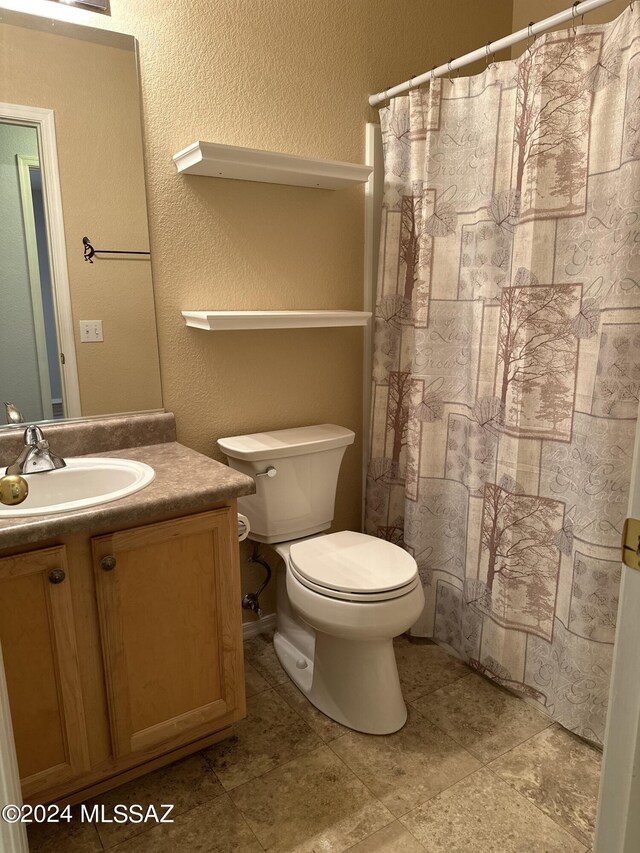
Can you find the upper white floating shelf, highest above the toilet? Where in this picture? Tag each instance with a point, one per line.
(270, 167)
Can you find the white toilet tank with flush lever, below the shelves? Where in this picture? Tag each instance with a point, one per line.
(299, 499)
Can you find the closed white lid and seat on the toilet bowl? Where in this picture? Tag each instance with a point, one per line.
(353, 562)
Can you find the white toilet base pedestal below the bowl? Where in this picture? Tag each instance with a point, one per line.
(355, 683)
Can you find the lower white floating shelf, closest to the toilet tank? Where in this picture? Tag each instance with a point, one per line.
(214, 321)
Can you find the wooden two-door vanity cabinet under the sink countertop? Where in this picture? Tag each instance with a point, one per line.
(122, 651)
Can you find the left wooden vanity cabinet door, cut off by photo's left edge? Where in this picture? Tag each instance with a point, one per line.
(41, 665)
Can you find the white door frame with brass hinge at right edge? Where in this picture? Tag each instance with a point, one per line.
(618, 820)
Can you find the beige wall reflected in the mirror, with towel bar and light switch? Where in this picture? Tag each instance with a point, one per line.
(93, 90)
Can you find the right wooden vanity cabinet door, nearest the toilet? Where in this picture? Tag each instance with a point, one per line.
(168, 598)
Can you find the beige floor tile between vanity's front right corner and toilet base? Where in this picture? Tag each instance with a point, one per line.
(271, 735)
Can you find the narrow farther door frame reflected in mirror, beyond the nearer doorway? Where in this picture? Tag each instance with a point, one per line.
(25, 164)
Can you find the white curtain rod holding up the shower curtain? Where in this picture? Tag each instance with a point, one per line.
(533, 29)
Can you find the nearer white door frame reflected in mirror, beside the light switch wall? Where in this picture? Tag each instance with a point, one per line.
(43, 120)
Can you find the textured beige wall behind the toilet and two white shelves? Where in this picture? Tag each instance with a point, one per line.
(287, 75)
